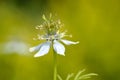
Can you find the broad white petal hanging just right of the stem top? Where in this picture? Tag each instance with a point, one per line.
(59, 48)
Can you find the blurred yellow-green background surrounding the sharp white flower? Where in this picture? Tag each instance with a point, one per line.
(95, 23)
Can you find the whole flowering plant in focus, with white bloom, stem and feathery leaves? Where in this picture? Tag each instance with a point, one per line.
(51, 32)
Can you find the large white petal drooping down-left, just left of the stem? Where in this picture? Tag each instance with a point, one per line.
(44, 49)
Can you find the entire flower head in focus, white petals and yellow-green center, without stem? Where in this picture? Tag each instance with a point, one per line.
(53, 38)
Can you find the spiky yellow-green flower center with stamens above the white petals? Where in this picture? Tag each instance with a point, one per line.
(50, 29)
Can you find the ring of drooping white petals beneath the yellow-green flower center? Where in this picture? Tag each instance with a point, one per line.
(55, 42)
